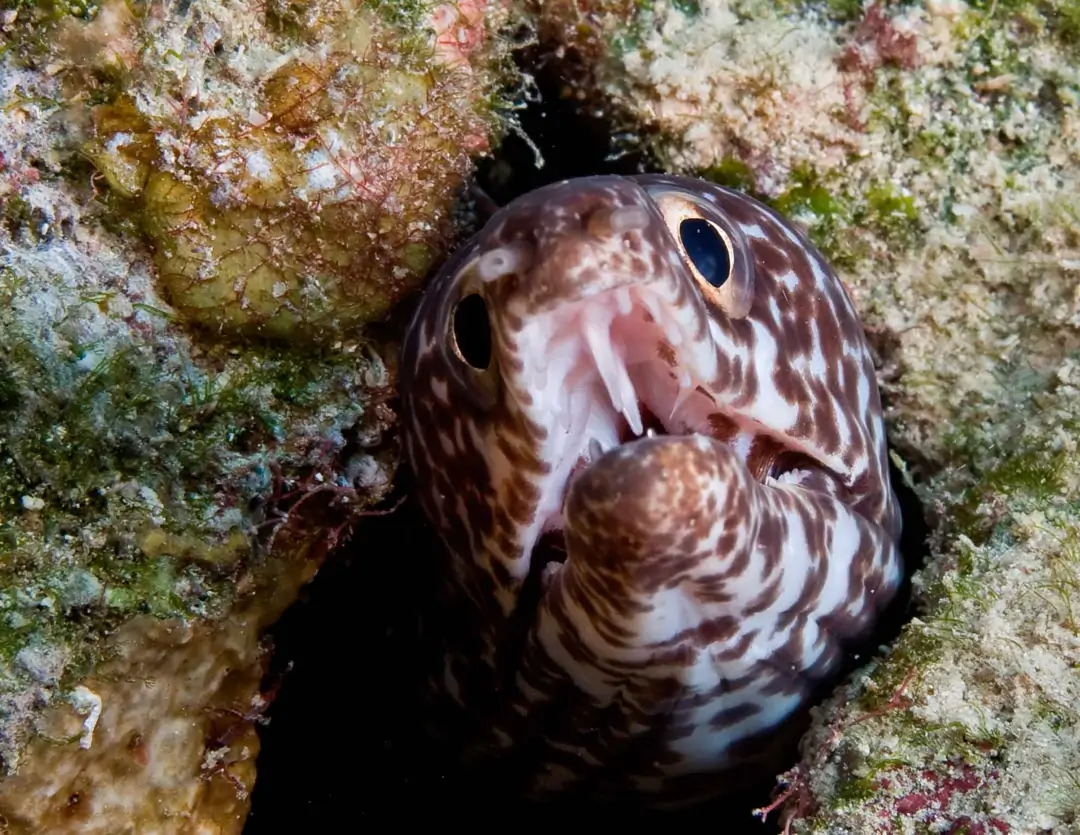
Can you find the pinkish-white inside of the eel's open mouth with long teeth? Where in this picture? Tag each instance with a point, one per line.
(609, 371)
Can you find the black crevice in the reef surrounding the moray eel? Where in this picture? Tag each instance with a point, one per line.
(347, 743)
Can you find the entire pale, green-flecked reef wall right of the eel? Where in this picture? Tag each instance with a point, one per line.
(967, 280)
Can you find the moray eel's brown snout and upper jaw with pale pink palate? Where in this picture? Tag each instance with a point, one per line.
(598, 322)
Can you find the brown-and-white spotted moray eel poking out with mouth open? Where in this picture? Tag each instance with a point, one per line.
(643, 417)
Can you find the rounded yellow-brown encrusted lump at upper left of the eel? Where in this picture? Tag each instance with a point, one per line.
(294, 165)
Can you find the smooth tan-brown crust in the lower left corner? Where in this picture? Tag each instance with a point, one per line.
(150, 765)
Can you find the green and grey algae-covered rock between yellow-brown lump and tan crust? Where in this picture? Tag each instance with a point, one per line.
(141, 476)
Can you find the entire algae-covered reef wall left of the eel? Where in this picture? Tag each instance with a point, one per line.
(174, 177)
